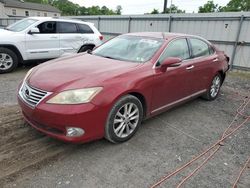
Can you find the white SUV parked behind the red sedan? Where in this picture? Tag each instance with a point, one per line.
(40, 38)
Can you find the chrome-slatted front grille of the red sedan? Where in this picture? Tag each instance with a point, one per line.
(32, 96)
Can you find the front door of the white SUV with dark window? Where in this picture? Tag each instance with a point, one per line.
(43, 45)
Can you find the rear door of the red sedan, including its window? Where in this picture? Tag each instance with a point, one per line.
(201, 64)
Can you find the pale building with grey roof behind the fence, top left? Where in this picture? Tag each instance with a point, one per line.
(19, 8)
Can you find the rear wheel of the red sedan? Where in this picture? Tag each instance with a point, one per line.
(214, 89)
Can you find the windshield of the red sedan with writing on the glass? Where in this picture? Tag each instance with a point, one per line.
(129, 48)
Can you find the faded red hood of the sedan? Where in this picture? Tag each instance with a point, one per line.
(83, 70)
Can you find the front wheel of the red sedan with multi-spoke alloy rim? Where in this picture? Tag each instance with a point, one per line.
(124, 127)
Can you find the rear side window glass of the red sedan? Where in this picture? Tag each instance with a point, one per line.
(199, 48)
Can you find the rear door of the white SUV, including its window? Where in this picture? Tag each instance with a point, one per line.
(70, 38)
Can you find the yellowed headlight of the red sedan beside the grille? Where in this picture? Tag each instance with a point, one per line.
(77, 96)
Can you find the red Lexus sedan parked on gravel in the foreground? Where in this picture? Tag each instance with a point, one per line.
(108, 92)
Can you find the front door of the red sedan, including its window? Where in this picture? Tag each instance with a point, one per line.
(171, 86)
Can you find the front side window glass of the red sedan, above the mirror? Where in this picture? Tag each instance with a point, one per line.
(177, 48)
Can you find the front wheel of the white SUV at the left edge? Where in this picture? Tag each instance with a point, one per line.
(8, 60)
